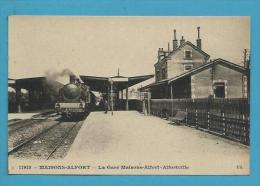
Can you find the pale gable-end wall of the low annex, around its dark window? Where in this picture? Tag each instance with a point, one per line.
(202, 83)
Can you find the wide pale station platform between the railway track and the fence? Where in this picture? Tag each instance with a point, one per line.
(130, 138)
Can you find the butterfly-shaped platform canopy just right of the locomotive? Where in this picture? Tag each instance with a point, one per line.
(100, 84)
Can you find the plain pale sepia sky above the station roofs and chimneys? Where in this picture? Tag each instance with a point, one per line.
(98, 46)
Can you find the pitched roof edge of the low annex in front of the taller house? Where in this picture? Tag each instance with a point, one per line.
(210, 64)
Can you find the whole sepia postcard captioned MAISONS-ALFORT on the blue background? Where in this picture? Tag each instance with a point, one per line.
(129, 95)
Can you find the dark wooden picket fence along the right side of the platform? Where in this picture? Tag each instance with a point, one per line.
(226, 117)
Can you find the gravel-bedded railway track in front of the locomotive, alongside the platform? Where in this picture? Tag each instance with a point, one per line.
(45, 144)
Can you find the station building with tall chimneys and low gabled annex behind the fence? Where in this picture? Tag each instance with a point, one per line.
(186, 72)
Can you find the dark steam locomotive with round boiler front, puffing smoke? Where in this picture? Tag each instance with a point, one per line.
(75, 99)
